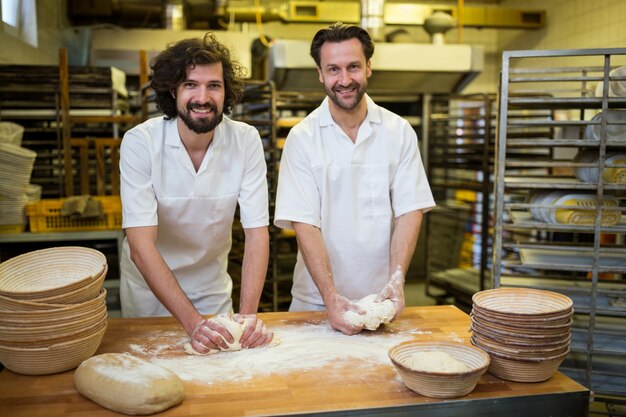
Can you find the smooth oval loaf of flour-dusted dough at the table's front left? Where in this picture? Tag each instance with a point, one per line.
(127, 384)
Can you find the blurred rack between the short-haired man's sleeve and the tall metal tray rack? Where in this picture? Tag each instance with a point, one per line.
(460, 155)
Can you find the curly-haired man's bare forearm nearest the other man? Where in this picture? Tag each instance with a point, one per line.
(254, 269)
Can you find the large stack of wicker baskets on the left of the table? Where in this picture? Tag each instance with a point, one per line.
(53, 311)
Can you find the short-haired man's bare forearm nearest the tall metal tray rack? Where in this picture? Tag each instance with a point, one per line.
(403, 241)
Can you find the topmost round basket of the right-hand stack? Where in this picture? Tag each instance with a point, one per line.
(522, 302)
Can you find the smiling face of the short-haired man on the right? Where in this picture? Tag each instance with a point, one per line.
(344, 72)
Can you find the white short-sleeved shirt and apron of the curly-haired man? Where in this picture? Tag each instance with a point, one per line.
(193, 210)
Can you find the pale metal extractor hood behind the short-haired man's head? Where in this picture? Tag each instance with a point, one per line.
(409, 68)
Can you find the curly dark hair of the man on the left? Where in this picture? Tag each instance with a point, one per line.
(169, 70)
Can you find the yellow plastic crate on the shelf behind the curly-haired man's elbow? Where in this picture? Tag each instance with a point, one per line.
(45, 216)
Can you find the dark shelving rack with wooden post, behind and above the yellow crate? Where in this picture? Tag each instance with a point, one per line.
(73, 118)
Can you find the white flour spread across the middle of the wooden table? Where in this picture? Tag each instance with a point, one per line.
(302, 348)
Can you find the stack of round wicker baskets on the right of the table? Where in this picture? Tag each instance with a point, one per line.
(526, 332)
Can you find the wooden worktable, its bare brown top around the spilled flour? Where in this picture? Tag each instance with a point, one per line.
(340, 389)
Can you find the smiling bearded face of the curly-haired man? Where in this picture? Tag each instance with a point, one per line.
(200, 98)
